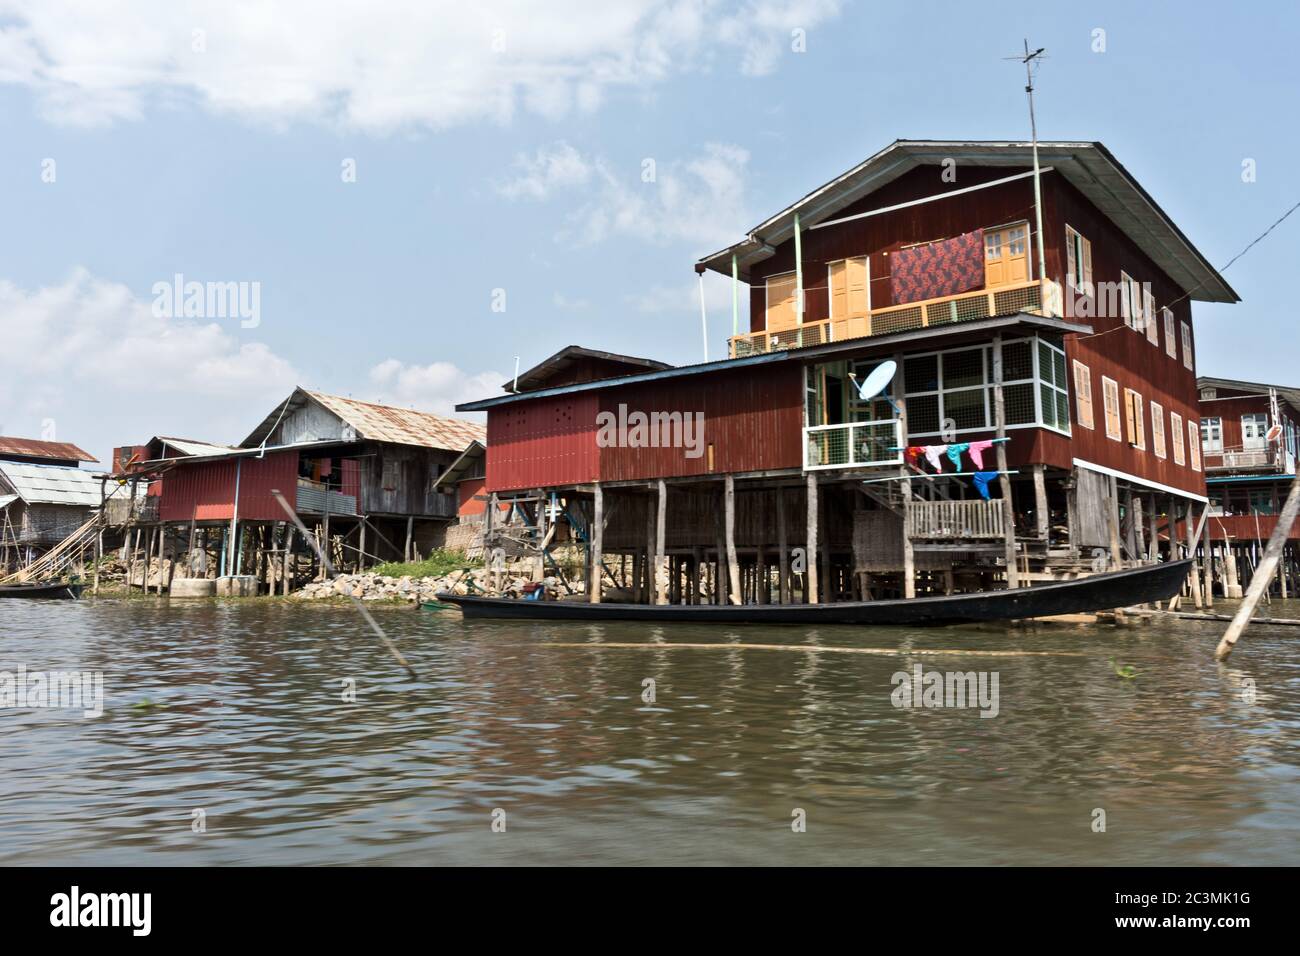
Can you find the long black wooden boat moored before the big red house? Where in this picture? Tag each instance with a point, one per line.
(1094, 594)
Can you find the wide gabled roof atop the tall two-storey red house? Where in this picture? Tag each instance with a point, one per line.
(1087, 166)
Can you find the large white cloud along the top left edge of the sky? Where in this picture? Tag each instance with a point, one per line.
(382, 66)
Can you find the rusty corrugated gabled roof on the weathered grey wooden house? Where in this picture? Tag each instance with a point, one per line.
(378, 422)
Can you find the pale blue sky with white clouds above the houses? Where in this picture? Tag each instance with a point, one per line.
(410, 196)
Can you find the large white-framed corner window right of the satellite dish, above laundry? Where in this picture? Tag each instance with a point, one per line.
(952, 391)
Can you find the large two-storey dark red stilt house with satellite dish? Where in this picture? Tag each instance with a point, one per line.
(1069, 347)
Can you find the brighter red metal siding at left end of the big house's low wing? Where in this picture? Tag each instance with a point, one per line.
(549, 442)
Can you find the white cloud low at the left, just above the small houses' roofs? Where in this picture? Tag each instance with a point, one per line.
(94, 360)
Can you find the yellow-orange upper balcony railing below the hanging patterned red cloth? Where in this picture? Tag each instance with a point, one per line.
(1042, 297)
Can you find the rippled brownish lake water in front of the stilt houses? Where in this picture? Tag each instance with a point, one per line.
(548, 726)
